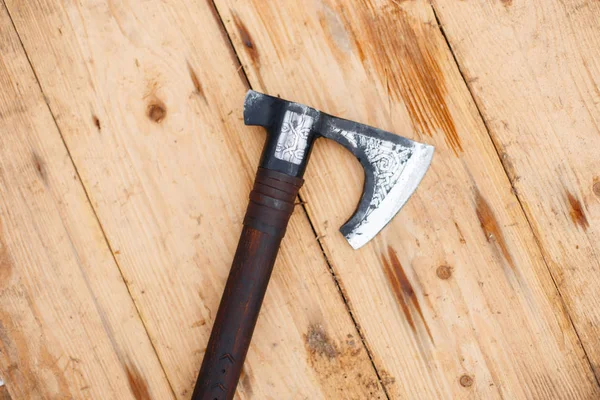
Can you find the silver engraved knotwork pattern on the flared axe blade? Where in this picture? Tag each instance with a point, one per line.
(388, 160)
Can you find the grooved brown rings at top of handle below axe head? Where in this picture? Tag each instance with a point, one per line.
(272, 201)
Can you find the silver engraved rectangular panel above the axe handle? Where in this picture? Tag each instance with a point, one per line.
(293, 138)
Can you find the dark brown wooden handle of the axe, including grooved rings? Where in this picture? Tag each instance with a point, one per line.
(271, 205)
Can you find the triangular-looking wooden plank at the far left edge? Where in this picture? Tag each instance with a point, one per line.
(68, 327)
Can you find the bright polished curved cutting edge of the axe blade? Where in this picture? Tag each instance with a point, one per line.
(358, 233)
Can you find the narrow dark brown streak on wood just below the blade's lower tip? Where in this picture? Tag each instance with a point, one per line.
(403, 289)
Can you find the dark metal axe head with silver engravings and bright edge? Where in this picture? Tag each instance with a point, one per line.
(393, 165)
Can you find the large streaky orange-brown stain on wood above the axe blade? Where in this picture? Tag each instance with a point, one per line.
(402, 54)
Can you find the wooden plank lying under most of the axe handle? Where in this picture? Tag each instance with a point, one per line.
(149, 100)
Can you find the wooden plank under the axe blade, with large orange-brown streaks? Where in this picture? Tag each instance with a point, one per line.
(453, 297)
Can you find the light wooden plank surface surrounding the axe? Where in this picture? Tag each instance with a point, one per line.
(125, 169)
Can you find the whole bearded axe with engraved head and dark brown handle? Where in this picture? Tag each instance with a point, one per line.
(393, 166)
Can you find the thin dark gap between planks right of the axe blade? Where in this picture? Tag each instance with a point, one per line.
(516, 194)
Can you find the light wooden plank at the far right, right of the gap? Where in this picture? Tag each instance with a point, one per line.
(534, 71)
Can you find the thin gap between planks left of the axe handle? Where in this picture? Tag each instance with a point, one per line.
(14, 27)
